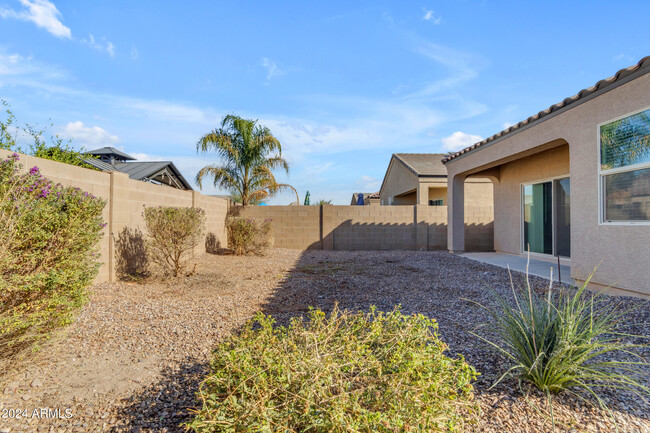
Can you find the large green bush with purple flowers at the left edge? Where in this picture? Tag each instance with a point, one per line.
(48, 254)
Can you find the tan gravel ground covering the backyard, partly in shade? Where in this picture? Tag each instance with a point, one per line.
(137, 352)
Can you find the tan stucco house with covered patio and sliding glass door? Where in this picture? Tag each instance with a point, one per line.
(571, 181)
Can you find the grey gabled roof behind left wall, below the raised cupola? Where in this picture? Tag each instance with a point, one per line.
(146, 171)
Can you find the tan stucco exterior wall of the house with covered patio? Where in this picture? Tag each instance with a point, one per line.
(623, 249)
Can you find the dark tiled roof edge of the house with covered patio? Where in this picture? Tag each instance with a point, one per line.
(621, 77)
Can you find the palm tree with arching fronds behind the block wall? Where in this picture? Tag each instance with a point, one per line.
(250, 153)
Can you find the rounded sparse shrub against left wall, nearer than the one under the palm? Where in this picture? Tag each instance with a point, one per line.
(173, 232)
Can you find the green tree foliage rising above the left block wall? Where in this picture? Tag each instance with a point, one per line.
(54, 148)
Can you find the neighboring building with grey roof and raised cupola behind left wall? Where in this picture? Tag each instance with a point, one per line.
(157, 172)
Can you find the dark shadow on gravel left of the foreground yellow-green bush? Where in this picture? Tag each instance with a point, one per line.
(164, 405)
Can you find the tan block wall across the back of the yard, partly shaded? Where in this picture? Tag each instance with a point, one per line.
(328, 227)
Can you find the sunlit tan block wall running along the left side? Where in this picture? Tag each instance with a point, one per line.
(125, 202)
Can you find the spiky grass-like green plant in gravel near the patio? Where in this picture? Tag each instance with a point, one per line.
(566, 342)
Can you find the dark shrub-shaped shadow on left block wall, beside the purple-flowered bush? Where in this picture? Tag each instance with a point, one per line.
(132, 261)
